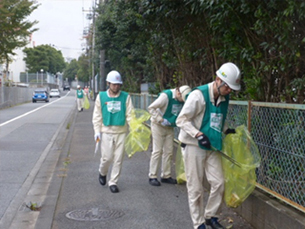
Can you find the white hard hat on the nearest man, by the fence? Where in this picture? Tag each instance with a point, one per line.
(230, 74)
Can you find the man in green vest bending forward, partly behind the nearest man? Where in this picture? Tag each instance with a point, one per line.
(164, 111)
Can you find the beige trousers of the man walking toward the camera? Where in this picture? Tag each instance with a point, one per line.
(112, 151)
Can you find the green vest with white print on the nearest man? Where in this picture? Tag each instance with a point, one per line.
(213, 119)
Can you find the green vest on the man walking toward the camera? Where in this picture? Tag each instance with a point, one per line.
(113, 109)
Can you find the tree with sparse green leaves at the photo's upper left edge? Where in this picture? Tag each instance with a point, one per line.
(14, 29)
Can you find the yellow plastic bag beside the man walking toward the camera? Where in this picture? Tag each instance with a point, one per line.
(138, 138)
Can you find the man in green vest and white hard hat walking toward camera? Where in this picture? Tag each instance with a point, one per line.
(111, 114)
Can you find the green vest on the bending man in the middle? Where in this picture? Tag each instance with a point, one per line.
(173, 108)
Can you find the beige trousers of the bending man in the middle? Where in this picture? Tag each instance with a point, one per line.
(163, 144)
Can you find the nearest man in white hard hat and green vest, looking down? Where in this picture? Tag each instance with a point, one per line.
(202, 123)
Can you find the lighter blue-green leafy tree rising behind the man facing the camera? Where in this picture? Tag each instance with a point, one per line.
(119, 32)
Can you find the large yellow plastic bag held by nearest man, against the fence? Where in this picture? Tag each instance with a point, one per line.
(239, 180)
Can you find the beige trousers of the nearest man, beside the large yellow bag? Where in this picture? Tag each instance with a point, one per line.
(198, 164)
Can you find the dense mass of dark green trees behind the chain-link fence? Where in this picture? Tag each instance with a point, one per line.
(186, 41)
